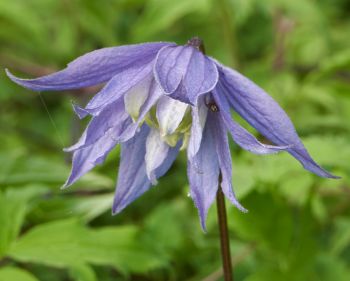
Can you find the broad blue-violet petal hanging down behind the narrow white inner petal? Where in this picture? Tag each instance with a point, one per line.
(132, 175)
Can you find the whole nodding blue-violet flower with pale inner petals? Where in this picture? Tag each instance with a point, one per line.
(160, 98)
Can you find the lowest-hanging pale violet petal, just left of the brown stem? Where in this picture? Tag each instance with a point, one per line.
(203, 173)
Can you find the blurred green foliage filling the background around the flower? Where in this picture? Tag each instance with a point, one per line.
(298, 227)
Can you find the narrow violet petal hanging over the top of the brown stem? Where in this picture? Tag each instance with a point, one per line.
(224, 157)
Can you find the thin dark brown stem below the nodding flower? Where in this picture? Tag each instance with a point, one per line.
(224, 238)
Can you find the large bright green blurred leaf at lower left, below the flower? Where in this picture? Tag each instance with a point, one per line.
(68, 242)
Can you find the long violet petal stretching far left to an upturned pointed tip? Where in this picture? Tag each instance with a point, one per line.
(94, 68)
